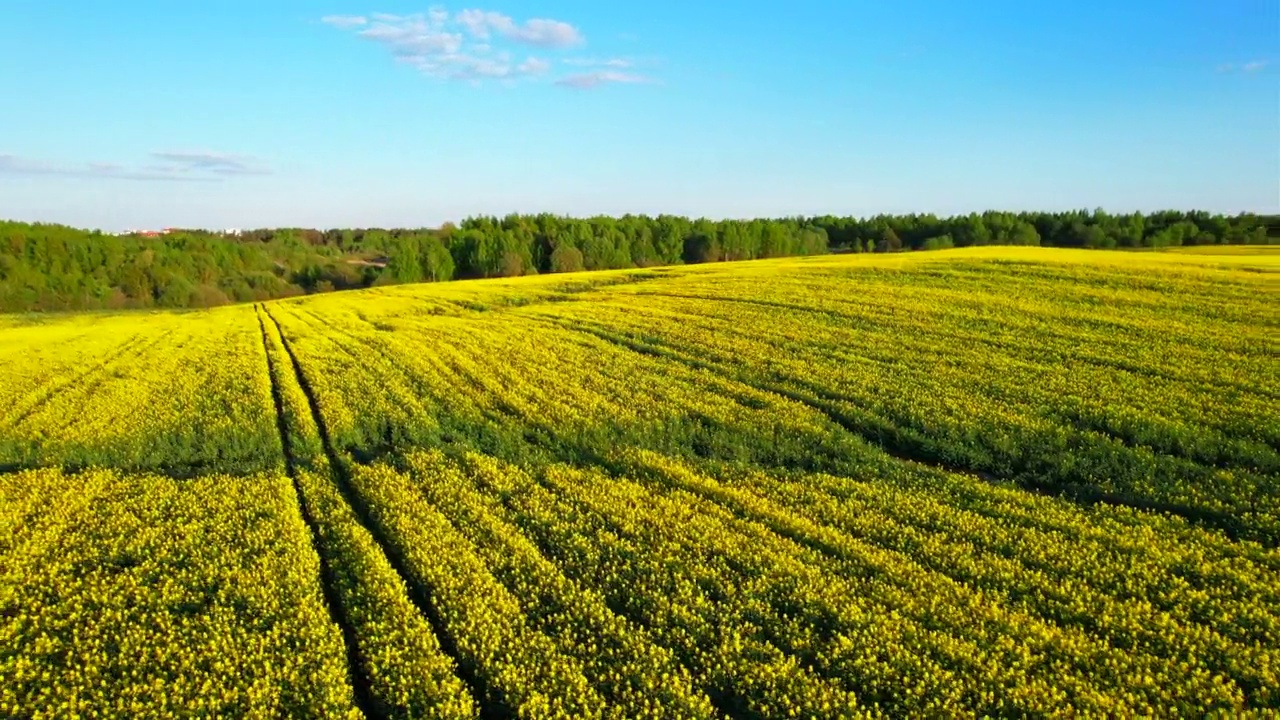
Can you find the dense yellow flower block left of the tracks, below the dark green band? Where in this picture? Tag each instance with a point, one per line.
(152, 598)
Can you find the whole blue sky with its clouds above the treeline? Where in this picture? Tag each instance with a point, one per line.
(381, 113)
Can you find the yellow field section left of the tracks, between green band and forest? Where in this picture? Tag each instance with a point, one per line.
(184, 395)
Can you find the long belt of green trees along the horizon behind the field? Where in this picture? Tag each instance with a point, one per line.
(52, 268)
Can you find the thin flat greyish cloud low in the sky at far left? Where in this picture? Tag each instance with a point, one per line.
(175, 167)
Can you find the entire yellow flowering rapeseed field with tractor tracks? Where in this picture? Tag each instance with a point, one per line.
(986, 481)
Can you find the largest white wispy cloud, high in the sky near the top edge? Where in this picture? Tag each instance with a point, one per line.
(481, 45)
